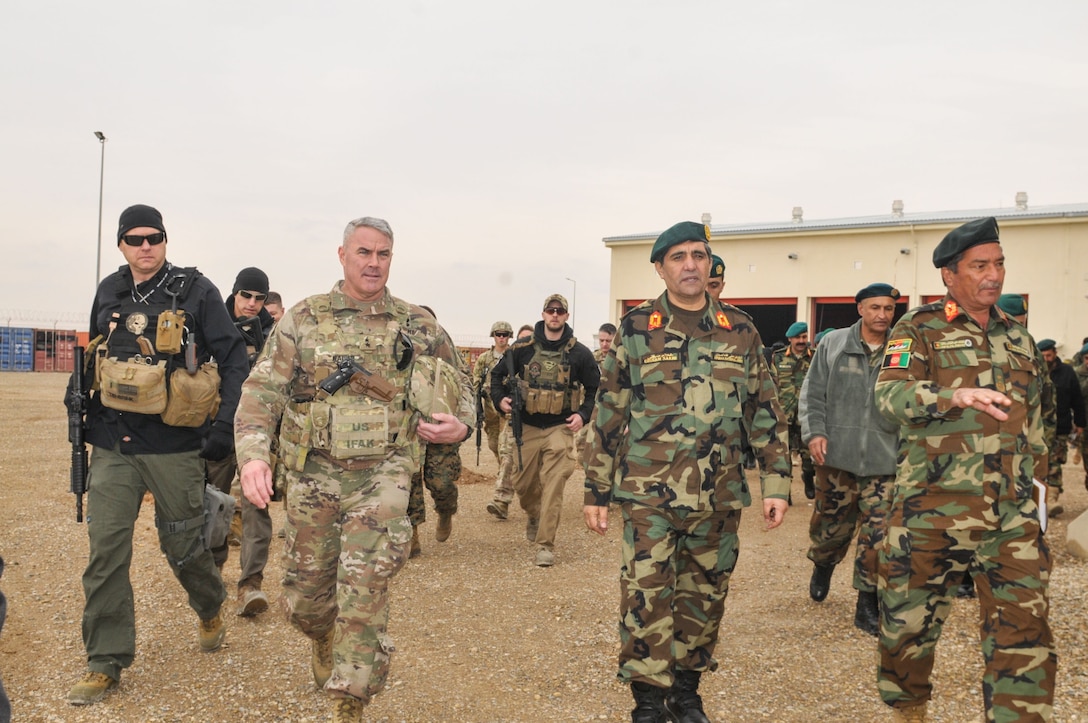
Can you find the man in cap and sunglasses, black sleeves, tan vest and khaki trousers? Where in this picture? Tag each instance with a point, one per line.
(559, 380)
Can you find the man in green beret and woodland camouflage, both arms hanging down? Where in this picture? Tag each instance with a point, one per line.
(685, 379)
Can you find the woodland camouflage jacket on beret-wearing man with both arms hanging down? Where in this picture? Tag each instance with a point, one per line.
(672, 409)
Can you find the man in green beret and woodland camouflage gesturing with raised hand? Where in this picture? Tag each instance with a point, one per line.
(965, 382)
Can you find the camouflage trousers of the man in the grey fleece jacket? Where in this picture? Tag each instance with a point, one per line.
(846, 503)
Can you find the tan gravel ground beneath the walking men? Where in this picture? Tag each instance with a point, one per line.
(483, 634)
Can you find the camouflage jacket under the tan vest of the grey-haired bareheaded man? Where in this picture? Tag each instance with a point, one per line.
(293, 363)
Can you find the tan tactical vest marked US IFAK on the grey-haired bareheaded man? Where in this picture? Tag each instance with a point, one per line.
(349, 427)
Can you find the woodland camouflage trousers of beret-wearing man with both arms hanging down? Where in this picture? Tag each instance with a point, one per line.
(673, 590)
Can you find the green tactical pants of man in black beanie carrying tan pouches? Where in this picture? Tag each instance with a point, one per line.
(117, 484)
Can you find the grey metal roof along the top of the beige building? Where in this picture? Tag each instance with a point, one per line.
(888, 220)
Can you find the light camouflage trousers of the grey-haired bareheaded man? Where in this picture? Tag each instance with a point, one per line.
(348, 534)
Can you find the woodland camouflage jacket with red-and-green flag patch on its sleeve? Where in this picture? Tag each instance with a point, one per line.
(966, 458)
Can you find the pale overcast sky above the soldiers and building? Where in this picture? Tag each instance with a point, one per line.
(504, 140)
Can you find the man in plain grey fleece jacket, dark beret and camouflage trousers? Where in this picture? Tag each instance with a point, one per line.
(854, 448)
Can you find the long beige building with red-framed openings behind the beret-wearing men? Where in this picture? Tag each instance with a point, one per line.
(811, 270)
